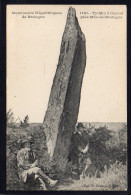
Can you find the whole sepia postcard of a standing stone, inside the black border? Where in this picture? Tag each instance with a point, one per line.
(66, 95)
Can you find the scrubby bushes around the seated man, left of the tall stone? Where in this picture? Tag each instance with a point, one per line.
(13, 146)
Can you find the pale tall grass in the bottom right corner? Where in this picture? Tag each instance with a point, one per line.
(113, 178)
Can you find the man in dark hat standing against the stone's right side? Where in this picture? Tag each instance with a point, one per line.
(79, 154)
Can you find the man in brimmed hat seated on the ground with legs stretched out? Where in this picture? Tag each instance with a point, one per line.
(28, 166)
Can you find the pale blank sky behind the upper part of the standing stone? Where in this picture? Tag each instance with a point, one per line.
(33, 48)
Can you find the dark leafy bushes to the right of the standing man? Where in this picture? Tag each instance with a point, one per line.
(107, 147)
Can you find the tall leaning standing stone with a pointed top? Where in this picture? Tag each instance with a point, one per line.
(63, 106)
